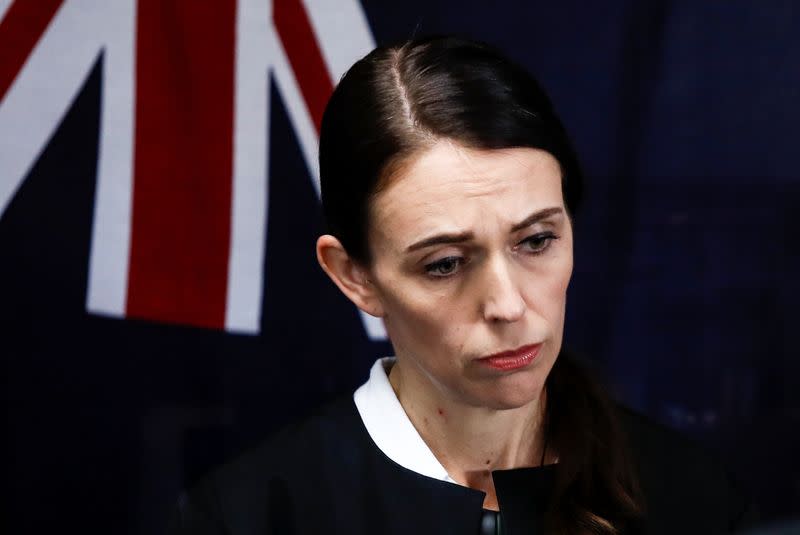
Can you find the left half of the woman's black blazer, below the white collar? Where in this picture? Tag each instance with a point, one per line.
(322, 475)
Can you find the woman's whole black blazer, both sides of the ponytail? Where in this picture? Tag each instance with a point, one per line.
(326, 475)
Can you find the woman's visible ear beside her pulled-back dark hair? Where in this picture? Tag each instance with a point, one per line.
(351, 278)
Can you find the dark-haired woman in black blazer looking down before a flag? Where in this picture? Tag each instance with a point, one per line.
(449, 185)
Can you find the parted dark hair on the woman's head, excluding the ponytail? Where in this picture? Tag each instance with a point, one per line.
(399, 100)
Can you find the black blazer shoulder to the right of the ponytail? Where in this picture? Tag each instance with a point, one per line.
(683, 483)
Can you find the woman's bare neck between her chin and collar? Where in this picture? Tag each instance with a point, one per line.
(471, 441)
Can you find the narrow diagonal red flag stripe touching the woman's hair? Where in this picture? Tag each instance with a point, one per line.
(304, 54)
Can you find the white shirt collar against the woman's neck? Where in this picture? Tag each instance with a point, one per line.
(389, 426)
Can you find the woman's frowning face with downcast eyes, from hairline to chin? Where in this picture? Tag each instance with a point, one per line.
(472, 256)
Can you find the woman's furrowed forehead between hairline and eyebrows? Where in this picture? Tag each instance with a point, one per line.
(451, 188)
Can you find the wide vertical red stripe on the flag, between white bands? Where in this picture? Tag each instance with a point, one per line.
(183, 161)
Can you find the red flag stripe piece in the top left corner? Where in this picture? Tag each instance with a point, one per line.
(20, 30)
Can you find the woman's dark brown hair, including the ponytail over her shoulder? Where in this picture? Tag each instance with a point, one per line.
(399, 100)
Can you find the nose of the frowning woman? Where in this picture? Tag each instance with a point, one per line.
(502, 300)
